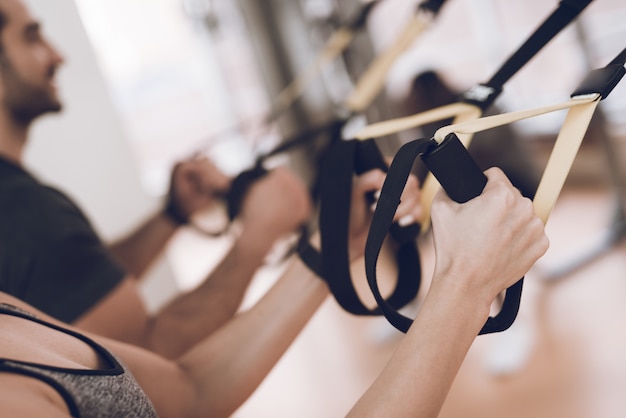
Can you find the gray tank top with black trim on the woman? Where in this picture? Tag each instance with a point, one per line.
(111, 392)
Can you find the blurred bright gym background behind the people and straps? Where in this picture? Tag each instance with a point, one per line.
(148, 82)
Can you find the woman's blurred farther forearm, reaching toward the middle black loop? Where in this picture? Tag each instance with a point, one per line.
(230, 365)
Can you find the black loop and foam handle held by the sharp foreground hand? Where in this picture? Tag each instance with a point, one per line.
(461, 178)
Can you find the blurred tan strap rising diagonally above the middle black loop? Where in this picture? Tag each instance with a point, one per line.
(373, 80)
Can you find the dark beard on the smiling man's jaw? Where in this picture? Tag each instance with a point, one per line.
(23, 101)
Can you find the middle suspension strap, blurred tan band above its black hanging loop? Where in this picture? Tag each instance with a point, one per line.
(342, 160)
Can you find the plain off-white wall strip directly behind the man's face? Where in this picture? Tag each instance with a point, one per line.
(84, 149)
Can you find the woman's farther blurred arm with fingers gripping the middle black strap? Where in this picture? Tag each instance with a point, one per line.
(222, 371)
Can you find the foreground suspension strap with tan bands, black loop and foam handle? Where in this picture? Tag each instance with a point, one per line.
(449, 161)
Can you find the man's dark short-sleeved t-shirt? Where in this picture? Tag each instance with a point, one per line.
(50, 255)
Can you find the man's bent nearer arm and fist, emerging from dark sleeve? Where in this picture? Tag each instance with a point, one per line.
(275, 206)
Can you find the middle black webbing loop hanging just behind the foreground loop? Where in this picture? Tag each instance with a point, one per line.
(342, 160)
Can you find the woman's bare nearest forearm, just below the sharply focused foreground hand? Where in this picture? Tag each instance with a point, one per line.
(421, 371)
